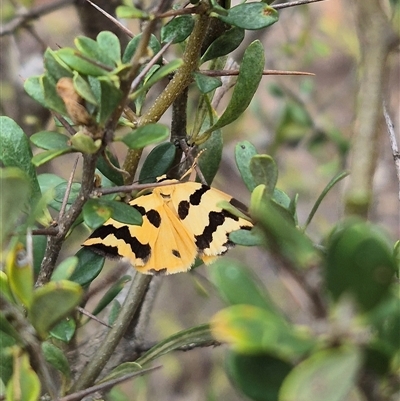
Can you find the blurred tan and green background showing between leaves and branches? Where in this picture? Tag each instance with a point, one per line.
(305, 123)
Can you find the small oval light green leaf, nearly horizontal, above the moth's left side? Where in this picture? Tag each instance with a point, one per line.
(145, 135)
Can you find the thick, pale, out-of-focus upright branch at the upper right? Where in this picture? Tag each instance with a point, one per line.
(376, 39)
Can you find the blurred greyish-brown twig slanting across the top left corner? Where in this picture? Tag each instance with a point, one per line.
(34, 13)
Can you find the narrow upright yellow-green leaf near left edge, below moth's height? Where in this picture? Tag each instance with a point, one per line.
(20, 274)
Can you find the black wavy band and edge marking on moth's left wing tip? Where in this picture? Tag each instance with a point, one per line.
(141, 251)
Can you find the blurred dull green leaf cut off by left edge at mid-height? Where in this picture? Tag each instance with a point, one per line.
(14, 196)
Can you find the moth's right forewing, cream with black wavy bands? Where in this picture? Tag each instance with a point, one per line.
(209, 223)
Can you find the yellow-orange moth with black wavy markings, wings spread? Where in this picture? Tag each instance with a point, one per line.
(181, 221)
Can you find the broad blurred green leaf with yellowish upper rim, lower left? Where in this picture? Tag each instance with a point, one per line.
(51, 303)
